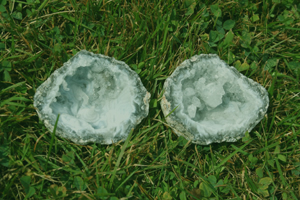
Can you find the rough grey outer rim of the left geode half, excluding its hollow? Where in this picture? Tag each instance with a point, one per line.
(52, 84)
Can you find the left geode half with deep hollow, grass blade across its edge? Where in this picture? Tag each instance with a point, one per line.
(99, 99)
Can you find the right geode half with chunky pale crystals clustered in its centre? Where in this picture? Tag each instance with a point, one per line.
(207, 101)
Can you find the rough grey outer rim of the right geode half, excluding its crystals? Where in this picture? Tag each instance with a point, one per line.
(177, 124)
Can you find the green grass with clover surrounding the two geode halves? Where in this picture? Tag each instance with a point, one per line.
(260, 38)
